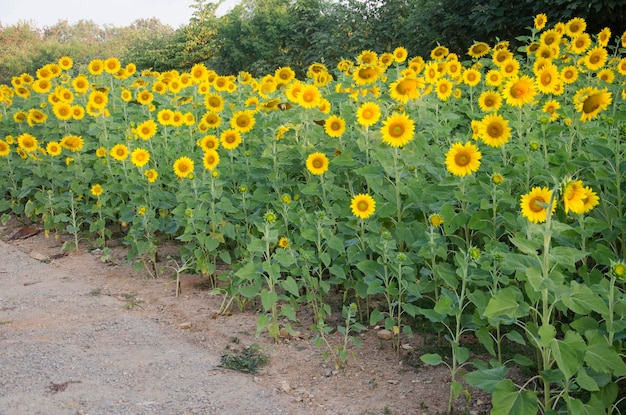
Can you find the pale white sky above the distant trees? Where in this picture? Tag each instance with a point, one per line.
(118, 13)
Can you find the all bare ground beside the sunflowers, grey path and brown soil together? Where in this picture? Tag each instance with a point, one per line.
(81, 336)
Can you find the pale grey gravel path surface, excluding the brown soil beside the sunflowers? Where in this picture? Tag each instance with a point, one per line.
(65, 351)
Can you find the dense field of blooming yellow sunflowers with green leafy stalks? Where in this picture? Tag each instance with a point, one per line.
(481, 194)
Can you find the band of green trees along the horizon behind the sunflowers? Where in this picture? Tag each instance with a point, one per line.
(260, 35)
